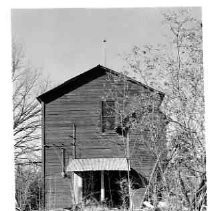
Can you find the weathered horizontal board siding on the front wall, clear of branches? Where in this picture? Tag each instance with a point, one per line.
(82, 107)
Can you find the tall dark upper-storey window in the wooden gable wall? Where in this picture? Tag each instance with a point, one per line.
(108, 115)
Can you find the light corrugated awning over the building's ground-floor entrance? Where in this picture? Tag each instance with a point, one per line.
(98, 164)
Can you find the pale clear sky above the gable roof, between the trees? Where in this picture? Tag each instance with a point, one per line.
(66, 42)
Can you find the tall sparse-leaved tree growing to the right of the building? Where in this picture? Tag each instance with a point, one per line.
(177, 69)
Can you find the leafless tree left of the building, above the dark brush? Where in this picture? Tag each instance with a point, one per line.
(27, 84)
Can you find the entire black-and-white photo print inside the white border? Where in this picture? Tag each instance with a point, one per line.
(108, 109)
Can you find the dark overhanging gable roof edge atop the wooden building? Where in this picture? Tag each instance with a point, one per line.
(83, 78)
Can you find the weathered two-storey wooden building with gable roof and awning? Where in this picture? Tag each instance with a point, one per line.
(96, 133)
